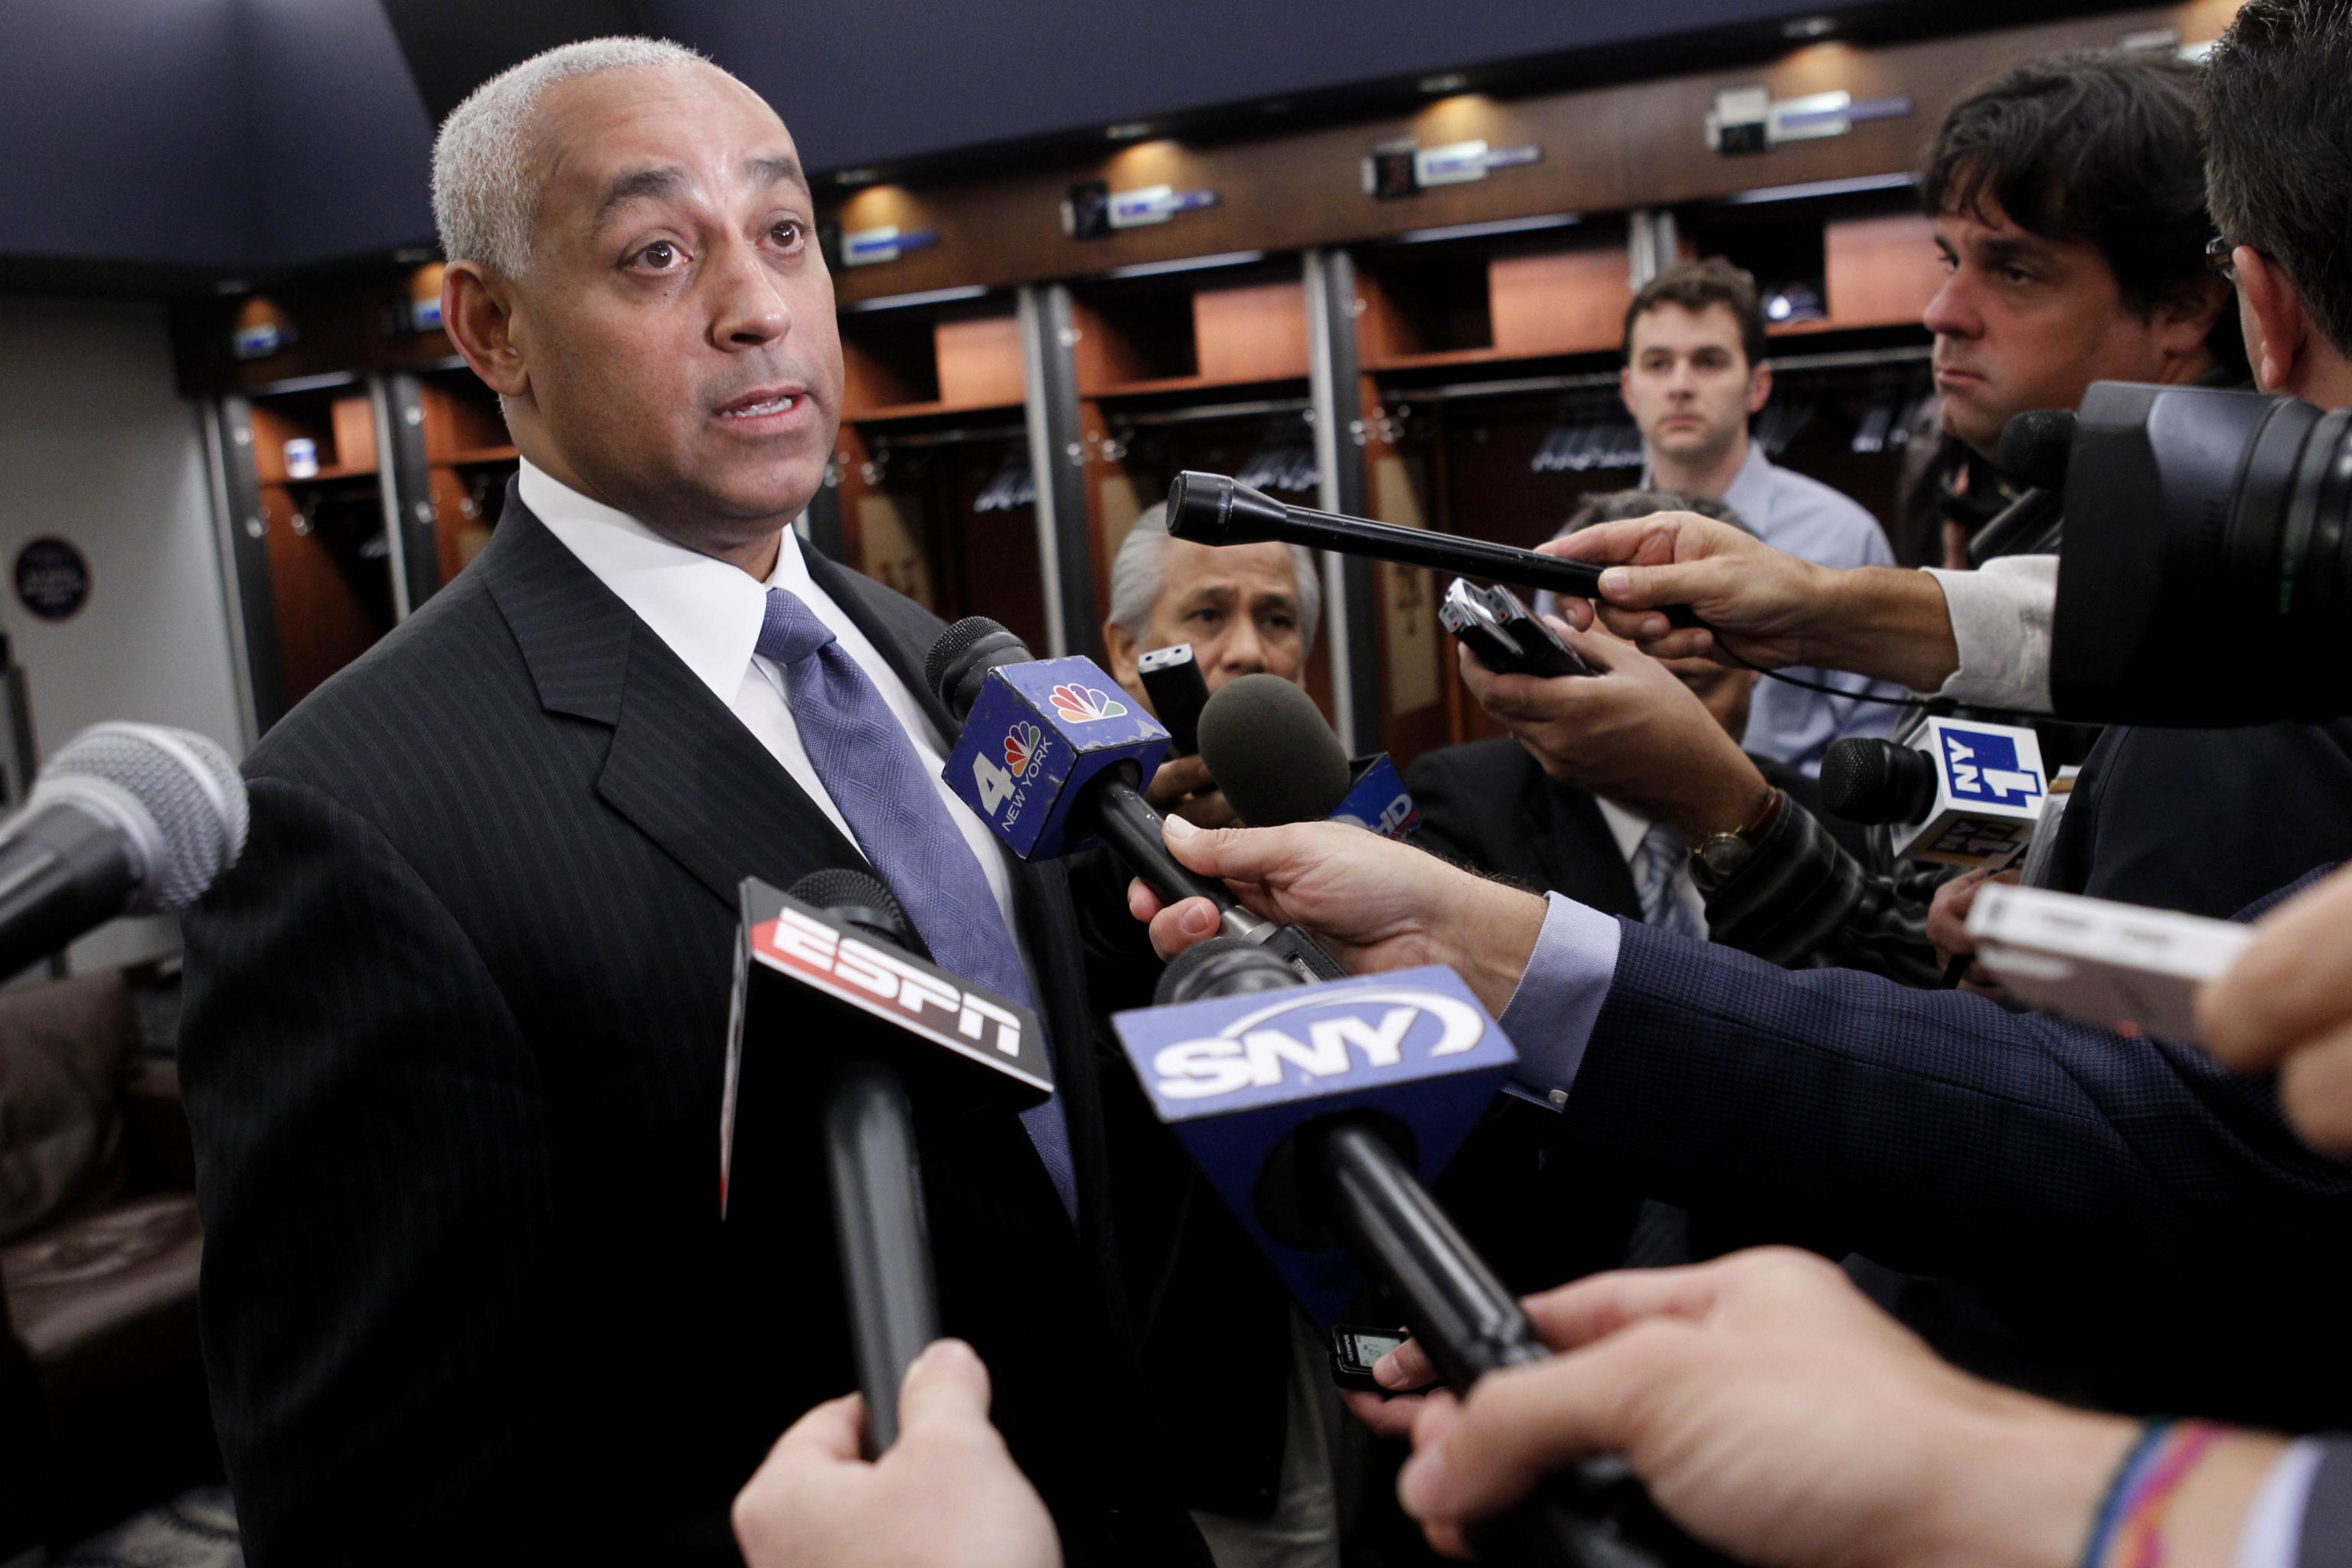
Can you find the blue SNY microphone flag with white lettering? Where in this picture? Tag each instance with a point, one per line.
(1238, 1076)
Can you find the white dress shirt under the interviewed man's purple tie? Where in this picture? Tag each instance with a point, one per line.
(711, 615)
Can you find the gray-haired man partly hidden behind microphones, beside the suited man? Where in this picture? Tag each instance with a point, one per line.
(1248, 610)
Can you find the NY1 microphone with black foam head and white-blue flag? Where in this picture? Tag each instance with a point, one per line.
(1960, 793)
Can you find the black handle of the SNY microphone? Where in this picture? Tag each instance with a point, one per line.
(1591, 1515)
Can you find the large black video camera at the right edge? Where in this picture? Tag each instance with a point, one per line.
(2207, 561)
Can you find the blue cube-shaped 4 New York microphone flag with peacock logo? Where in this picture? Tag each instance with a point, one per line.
(1036, 739)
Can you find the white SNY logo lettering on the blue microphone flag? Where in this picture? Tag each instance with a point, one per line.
(1318, 1038)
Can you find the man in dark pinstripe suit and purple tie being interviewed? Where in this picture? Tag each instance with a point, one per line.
(457, 1021)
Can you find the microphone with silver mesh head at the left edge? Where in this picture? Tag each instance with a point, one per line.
(126, 819)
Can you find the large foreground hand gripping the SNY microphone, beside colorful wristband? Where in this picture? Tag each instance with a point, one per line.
(1777, 1416)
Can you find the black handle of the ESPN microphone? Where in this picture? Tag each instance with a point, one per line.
(886, 1242)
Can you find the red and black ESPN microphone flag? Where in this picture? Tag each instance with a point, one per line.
(810, 991)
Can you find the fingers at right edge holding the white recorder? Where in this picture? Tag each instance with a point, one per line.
(2287, 1005)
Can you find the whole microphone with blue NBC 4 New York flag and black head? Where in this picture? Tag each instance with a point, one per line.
(1053, 758)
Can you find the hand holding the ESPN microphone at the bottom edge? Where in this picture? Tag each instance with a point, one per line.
(944, 1496)
